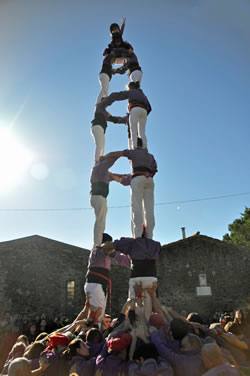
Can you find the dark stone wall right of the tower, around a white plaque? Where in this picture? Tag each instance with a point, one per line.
(226, 268)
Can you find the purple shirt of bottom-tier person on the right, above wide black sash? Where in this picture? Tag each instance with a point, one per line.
(139, 248)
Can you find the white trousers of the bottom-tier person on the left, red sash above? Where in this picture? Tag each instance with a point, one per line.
(97, 298)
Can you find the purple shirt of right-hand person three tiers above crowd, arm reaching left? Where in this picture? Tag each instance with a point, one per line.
(134, 96)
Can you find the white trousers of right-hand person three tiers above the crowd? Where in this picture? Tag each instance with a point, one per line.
(137, 123)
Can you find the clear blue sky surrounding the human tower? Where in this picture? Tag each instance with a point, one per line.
(196, 62)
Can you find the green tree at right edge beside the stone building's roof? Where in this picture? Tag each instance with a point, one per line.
(240, 230)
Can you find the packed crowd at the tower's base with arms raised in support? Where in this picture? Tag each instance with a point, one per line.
(166, 344)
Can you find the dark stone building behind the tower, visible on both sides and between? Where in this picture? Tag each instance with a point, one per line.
(199, 273)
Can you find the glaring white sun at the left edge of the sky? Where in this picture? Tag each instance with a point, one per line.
(15, 160)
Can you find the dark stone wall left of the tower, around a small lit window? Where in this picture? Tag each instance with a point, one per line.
(36, 271)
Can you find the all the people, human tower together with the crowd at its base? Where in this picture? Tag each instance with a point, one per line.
(146, 338)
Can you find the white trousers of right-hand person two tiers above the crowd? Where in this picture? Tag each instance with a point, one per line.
(142, 206)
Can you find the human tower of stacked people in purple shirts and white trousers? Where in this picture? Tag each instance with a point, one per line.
(139, 253)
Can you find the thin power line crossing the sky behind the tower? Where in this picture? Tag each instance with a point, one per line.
(126, 206)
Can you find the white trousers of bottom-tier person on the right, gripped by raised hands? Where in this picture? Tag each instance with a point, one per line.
(145, 282)
